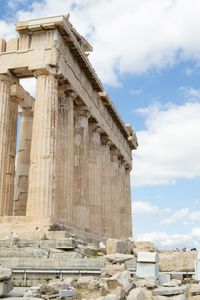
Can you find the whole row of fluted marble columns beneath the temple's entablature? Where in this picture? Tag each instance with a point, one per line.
(66, 166)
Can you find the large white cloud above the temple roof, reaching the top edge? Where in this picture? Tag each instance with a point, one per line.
(130, 36)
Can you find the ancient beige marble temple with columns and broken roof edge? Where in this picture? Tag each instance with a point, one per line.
(74, 154)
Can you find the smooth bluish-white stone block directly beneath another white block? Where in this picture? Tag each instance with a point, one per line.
(147, 270)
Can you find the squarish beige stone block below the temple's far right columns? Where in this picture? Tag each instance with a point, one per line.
(117, 246)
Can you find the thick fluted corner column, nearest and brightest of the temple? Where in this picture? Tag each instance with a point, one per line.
(42, 174)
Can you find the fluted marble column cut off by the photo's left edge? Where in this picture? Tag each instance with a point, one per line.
(5, 114)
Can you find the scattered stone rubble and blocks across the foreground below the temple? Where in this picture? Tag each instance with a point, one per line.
(120, 277)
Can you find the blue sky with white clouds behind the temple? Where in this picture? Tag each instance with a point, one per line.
(147, 54)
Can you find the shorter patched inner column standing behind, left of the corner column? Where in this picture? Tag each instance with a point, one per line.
(23, 162)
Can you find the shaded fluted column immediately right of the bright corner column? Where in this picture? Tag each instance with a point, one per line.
(65, 156)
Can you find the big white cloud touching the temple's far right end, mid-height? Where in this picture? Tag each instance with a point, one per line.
(169, 148)
